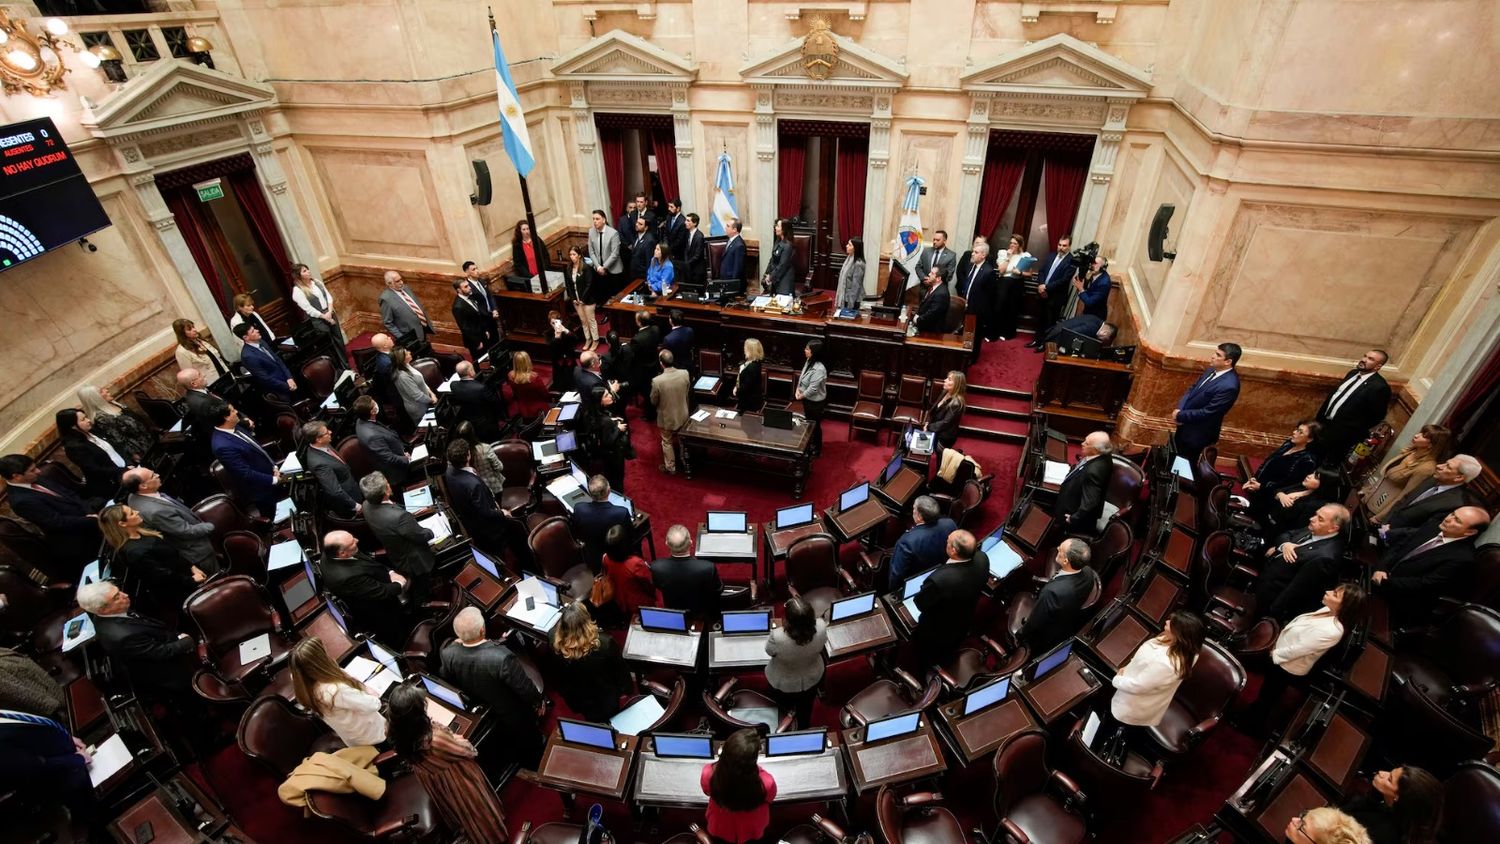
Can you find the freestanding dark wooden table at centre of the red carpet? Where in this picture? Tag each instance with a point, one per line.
(748, 443)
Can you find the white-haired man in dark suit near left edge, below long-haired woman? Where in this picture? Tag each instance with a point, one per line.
(155, 656)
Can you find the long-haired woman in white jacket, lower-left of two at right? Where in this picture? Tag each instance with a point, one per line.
(1147, 683)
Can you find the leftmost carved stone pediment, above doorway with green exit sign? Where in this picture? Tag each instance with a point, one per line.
(175, 94)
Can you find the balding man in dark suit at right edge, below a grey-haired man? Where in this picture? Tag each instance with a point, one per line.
(1423, 569)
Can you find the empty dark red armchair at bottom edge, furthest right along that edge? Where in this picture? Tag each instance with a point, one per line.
(1027, 809)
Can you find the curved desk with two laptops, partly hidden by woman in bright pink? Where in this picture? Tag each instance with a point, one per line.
(799, 779)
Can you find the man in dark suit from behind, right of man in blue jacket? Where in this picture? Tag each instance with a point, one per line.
(947, 600)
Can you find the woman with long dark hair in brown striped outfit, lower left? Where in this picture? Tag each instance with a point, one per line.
(446, 765)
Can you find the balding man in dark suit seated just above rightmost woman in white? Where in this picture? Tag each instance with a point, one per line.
(1301, 566)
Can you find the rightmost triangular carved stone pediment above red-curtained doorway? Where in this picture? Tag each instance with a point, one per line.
(1060, 65)
